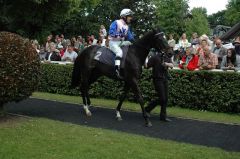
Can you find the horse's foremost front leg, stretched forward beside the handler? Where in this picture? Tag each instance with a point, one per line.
(138, 94)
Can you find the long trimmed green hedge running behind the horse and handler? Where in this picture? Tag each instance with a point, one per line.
(213, 91)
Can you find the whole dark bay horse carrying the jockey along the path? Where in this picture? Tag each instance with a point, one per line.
(87, 70)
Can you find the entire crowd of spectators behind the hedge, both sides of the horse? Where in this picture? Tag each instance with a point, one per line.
(195, 53)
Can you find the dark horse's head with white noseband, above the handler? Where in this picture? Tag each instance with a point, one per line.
(160, 43)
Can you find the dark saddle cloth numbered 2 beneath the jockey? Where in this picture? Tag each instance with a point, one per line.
(106, 56)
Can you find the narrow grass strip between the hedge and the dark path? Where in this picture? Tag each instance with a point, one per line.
(172, 111)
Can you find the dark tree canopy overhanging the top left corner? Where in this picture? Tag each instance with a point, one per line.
(35, 18)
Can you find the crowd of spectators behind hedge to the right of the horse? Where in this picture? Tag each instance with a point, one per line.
(201, 53)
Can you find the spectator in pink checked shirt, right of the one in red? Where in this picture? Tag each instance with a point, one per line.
(207, 60)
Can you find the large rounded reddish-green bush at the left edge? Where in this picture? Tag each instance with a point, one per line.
(19, 68)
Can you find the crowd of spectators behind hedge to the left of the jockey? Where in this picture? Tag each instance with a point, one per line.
(60, 49)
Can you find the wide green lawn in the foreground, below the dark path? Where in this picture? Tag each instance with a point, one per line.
(47, 139)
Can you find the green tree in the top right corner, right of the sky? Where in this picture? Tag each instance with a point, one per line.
(233, 12)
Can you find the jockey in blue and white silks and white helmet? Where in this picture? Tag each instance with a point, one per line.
(120, 35)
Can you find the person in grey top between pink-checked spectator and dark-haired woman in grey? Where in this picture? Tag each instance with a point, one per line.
(220, 51)
